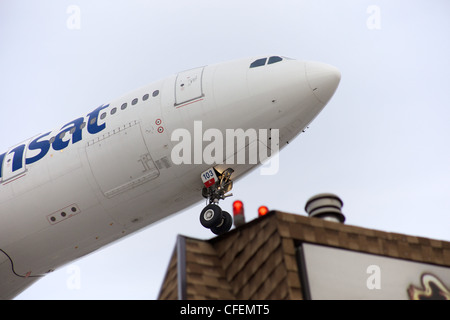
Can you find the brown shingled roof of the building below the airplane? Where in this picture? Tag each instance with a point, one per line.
(259, 260)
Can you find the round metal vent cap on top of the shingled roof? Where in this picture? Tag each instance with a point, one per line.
(325, 206)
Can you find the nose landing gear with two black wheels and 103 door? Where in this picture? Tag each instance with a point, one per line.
(215, 189)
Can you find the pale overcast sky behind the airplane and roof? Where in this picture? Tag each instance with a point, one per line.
(382, 143)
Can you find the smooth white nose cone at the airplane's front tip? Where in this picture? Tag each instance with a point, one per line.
(323, 80)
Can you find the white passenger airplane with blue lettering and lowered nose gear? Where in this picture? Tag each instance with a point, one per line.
(67, 192)
